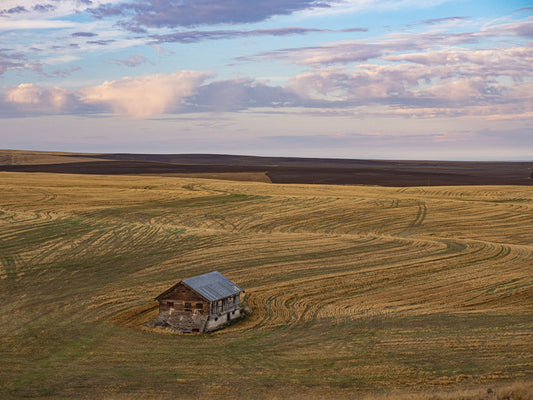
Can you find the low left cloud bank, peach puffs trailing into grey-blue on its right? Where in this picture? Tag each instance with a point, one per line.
(179, 92)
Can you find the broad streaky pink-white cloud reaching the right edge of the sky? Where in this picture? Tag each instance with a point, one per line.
(451, 78)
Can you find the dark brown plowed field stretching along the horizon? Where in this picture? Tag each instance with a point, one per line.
(298, 170)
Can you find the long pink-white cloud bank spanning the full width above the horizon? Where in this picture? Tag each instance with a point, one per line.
(419, 85)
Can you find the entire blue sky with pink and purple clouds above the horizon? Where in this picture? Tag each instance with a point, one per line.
(368, 79)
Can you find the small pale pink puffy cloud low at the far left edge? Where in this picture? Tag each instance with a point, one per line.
(37, 97)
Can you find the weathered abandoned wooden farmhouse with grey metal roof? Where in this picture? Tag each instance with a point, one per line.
(200, 304)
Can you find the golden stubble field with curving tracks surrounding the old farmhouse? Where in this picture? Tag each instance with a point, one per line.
(355, 292)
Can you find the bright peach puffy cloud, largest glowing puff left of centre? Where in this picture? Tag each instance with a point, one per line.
(146, 96)
